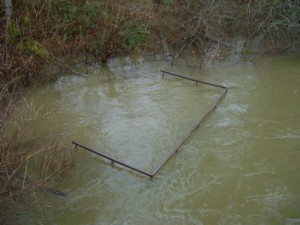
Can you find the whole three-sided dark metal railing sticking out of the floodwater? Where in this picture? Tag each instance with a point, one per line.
(176, 148)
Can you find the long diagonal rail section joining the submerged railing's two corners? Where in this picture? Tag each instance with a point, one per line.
(189, 133)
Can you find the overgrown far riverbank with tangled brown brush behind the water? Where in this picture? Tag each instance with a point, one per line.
(55, 32)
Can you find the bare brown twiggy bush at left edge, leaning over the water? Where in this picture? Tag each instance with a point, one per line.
(26, 168)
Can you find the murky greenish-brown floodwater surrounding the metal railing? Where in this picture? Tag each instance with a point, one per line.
(240, 167)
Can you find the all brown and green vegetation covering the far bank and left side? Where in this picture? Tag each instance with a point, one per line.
(41, 31)
